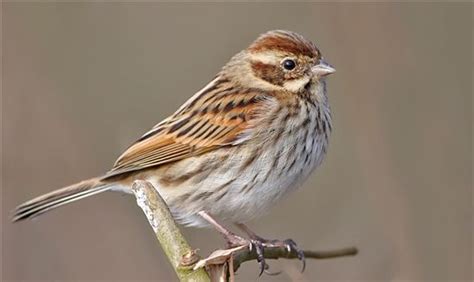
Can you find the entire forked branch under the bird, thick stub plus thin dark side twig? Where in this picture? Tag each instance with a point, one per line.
(184, 260)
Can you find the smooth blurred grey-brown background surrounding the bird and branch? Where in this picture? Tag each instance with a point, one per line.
(83, 81)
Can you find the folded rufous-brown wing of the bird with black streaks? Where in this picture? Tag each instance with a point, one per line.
(217, 116)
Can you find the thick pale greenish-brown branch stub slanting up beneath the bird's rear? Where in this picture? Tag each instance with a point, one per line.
(171, 240)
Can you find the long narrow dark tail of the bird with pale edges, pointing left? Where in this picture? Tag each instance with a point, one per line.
(59, 197)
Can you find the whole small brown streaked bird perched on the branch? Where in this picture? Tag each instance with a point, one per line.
(250, 136)
